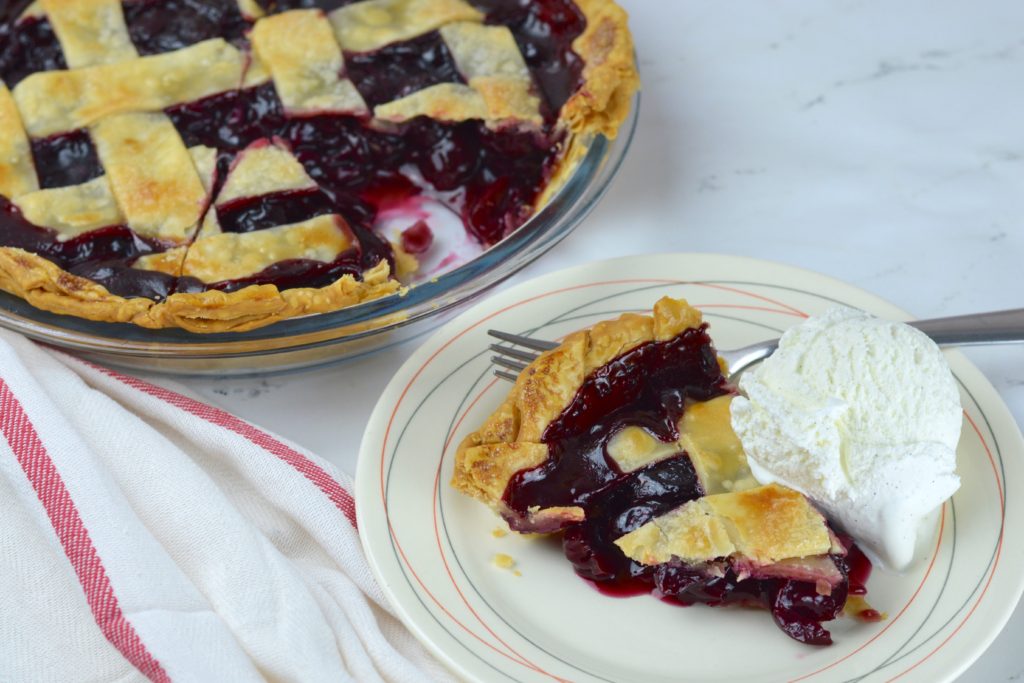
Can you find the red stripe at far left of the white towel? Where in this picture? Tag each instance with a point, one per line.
(46, 480)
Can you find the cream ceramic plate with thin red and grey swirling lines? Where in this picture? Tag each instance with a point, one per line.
(433, 549)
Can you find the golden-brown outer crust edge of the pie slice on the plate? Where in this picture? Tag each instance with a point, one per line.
(509, 441)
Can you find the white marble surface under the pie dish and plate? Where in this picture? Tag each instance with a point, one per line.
(879, 143)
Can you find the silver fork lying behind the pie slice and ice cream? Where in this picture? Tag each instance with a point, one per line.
(1000, 327)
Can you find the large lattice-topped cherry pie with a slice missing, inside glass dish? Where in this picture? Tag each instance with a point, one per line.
(220, 165)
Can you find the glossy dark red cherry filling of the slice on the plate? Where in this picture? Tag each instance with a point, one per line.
(651, 388)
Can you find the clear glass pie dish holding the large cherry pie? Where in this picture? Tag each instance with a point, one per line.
(323, 338)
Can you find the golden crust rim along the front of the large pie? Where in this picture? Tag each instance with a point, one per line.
(47, 286)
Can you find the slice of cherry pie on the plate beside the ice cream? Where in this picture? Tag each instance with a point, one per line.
(620, 439)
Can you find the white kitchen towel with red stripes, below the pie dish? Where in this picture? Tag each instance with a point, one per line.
(147, 535)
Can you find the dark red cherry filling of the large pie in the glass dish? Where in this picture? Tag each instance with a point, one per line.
(491, 178)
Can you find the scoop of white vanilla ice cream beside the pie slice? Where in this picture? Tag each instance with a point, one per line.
(864, 417)
